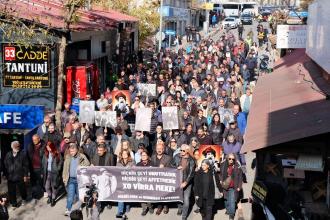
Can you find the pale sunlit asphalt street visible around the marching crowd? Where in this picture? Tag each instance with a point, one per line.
(40, 210)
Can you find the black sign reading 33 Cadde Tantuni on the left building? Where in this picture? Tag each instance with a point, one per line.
(26, 67)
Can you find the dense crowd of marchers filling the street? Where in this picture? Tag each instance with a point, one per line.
(210, 83)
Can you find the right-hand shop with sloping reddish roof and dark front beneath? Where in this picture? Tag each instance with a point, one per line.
(289, 129)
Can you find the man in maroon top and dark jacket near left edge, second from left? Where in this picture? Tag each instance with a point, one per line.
(35, 154)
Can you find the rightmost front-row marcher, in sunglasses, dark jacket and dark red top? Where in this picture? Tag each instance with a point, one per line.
(231, 181)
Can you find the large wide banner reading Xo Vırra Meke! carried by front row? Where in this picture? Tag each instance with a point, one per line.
(136, 184)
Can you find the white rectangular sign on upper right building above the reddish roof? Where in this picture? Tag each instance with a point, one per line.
(291, 36)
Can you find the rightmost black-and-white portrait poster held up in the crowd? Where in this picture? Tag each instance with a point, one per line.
(170, 118)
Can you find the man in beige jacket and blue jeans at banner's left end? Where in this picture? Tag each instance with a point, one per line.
(72, 161)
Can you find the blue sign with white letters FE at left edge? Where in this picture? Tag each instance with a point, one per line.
(21, 116)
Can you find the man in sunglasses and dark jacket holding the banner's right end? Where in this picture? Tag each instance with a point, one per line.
(186, 163)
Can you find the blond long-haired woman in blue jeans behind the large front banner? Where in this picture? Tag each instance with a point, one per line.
(125, 160)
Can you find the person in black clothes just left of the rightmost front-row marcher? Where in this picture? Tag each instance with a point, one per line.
(205, 185)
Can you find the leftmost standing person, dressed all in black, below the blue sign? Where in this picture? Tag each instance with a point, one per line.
(17, 168)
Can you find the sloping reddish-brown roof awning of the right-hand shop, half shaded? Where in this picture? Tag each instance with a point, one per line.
(285, 107)
